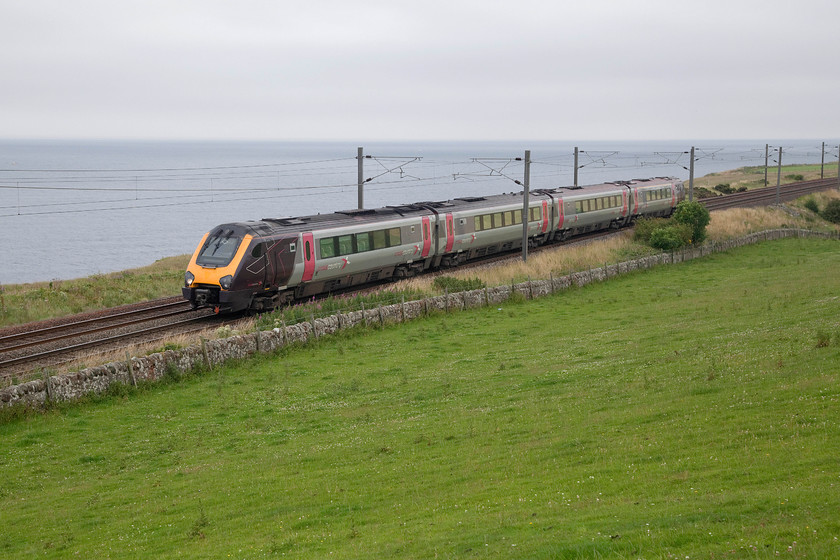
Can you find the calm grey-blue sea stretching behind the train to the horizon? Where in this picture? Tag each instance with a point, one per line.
(71, 209)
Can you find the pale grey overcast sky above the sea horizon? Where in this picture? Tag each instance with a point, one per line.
(391, 70)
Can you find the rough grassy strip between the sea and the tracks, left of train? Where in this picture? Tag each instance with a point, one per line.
(22, 303)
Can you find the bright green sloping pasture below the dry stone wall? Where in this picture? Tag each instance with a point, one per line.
(686, 411)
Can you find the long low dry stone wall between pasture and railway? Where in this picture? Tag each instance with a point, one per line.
(134, 370)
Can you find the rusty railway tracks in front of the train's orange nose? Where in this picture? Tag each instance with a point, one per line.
(50, 344)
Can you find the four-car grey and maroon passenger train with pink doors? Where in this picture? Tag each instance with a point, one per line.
(259, 265)
